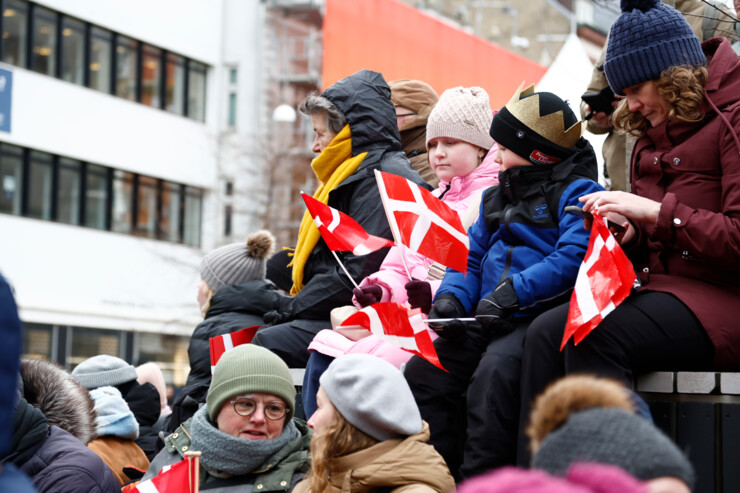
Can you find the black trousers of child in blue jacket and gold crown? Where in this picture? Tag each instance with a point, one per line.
(489, 370)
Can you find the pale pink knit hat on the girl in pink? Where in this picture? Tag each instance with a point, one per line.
(462, 113)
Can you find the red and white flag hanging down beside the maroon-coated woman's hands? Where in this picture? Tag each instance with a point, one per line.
(604, 280)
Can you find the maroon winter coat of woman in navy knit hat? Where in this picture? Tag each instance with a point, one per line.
(693, 170)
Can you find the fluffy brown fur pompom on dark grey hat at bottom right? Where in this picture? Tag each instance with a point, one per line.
(570, 395)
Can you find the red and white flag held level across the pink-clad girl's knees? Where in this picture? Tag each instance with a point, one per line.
(398, 325)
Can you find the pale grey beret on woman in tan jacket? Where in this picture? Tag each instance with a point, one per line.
(372, 395)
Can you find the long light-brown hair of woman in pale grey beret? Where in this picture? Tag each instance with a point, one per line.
(336, 440)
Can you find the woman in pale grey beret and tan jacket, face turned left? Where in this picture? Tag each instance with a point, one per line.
(369, 435)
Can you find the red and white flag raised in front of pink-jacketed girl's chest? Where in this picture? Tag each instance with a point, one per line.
(422, 222)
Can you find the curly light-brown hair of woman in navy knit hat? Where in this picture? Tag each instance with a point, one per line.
(683, 89)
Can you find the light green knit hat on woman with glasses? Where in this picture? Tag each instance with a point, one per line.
(249, 368)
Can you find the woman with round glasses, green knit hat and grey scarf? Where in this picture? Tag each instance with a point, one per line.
(246, 432)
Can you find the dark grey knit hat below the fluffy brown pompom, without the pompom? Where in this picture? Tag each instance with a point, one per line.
(617, 437)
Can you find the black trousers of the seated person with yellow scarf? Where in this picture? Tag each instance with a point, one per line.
(290, 340)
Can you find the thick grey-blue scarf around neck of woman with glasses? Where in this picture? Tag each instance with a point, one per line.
(225, 455)
